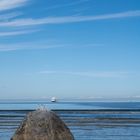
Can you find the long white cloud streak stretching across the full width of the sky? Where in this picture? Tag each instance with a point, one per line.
(69, 19)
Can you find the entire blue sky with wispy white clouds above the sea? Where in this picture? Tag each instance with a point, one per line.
(69, 49)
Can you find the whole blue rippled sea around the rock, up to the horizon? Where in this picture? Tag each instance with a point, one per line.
(87, 120)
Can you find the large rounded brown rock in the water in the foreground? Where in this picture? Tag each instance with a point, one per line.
(42, 125)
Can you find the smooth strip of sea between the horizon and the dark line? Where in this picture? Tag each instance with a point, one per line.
(62, 104)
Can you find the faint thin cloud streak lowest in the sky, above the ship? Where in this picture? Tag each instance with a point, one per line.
(91, 74)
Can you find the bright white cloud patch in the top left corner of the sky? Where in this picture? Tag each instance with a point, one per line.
(10, 4)
